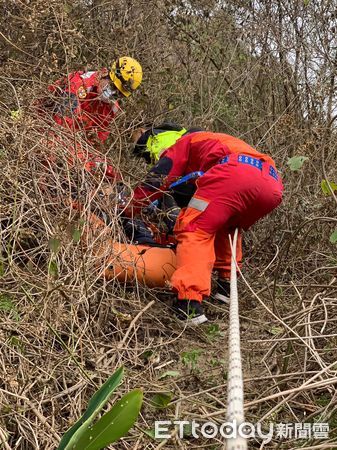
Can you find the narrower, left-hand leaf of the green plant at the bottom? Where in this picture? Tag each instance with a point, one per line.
(96, 403)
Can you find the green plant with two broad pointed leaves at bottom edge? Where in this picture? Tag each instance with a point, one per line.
(84, 435)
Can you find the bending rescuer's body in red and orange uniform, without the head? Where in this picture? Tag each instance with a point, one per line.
(239, 186)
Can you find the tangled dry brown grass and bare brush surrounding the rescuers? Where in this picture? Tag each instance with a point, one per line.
(63, 334)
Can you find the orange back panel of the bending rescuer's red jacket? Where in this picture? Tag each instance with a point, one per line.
(234, 144)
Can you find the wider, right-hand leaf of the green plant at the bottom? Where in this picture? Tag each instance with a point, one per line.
(113, 425)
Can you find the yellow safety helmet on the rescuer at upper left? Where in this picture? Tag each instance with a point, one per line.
(126, 73)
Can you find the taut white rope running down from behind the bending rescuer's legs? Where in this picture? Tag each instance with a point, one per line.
(235, 383)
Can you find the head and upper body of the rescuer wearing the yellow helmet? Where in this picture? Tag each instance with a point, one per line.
(89, 100)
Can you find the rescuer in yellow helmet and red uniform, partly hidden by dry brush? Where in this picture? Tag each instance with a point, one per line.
(88, 102)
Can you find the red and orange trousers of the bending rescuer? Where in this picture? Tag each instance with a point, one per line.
(229, 196)
